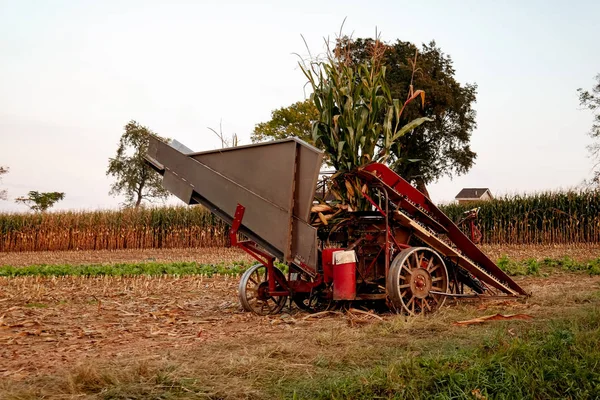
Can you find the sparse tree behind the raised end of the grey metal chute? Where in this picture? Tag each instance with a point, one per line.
(133, 177)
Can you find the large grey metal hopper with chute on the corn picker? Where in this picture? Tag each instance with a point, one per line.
(274, 181)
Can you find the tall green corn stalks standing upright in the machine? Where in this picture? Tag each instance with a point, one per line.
(359, 121)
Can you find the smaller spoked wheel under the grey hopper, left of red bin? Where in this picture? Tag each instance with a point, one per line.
(253, 291)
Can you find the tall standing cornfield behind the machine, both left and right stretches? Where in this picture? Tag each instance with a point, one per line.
(545, 218)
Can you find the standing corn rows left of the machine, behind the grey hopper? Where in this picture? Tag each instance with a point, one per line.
(167, 227)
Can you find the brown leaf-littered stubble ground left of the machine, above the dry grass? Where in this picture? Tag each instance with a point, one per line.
(49, 322)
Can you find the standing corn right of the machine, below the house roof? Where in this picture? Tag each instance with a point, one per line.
(544, 218)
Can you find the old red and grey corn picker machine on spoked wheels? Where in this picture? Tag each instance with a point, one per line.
(403, 252)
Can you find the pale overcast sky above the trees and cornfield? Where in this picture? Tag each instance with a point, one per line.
(73, 73)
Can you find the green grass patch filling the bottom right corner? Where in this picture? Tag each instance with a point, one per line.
(547, 360)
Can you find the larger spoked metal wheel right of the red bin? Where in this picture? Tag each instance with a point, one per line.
(416, 277)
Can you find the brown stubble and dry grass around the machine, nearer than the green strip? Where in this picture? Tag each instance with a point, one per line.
(85, 334)
